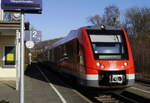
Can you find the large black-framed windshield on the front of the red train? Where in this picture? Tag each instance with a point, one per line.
(108, 44)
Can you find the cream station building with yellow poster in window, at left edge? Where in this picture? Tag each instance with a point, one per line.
(9, 32)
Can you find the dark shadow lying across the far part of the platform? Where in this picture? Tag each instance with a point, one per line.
(33, 71)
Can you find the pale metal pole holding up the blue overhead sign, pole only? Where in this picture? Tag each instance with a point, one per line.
(22, 61)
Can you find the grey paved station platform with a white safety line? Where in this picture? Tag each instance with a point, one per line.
(40, 90)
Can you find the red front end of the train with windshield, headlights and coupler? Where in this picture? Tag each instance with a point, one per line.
(108, 58)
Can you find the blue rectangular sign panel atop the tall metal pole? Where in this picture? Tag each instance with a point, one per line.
(29, 6)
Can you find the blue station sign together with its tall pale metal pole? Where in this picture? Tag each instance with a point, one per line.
(22, 6)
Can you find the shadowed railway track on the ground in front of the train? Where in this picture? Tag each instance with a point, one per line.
(113, 96)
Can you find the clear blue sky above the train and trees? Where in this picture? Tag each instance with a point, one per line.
(59, 17)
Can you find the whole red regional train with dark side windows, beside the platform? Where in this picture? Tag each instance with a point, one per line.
(97, 56)
